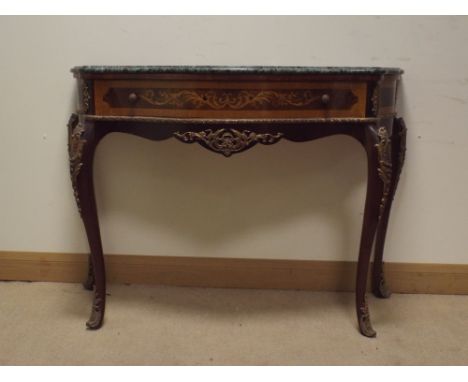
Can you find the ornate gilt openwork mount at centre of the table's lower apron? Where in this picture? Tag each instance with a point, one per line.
(228, 141)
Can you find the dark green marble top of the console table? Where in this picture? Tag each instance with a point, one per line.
(238, 69)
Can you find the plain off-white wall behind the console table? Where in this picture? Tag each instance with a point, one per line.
(291, 201)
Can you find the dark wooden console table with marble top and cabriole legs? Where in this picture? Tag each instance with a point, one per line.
(231, 109)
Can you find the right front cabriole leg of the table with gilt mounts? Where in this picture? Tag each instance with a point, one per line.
(378, 148)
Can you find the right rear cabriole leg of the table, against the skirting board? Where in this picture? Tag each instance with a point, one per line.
(398, 147)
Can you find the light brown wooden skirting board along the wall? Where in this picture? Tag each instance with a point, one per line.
(232, 273)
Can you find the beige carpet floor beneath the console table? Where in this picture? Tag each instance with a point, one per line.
(44, 324)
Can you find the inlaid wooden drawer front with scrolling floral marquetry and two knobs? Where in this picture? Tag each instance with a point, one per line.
(227, 99)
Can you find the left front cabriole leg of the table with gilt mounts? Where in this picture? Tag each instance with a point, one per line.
(83, 139)
